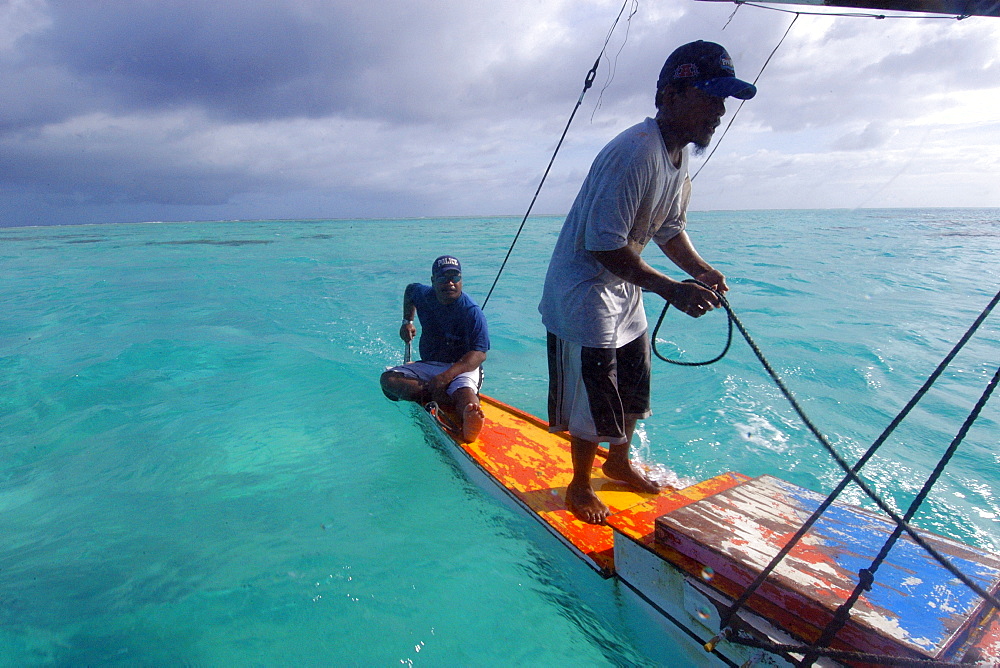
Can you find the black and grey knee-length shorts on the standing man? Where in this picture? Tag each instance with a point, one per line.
(594, 391)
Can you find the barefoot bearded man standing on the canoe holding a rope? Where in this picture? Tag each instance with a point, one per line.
(637, 190)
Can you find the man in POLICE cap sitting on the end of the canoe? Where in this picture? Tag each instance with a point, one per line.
(453, 347)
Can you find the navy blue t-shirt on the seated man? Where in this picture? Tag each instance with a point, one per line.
(448, 331)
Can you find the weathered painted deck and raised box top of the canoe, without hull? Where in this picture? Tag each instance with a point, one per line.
(724, 530)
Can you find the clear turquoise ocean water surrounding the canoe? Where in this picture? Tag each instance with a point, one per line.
(199, 468)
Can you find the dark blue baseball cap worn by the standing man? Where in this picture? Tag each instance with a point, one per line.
(708, 67)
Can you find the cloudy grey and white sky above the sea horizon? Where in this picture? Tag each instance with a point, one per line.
(287, 109)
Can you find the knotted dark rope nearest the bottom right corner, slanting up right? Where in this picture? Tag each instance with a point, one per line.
(867, 575)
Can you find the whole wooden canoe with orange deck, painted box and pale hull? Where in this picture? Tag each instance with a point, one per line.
(686, 555)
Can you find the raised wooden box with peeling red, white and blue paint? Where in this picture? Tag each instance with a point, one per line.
(916, 605)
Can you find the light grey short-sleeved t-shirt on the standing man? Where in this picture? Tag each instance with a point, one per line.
(632, 194)
